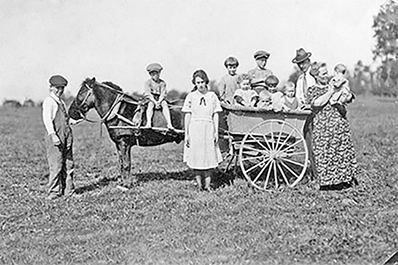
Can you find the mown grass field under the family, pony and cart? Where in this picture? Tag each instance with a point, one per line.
(165, 220)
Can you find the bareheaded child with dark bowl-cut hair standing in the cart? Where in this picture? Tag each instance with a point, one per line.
(228, 83)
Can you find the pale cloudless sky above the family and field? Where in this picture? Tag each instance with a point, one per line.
(114, 40)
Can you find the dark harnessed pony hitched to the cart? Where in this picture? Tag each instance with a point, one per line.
(121, 114)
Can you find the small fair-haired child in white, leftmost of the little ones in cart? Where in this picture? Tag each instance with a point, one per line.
(245, 96)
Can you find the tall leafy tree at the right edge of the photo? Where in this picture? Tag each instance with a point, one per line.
(385, 26)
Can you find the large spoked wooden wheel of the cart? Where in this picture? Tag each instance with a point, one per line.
(273, 153)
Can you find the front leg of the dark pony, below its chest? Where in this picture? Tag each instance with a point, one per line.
(124, 151)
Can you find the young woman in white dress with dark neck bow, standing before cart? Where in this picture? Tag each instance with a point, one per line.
(201, 150)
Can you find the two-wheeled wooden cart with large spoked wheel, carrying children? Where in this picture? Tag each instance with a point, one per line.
(269, 146)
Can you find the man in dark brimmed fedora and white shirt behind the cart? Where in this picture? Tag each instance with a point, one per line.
(305, 80)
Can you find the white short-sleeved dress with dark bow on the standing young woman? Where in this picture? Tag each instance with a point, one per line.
(203, 153)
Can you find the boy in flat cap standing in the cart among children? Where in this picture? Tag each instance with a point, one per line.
(260, 73)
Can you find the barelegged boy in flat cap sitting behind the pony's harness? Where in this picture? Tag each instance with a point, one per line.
(155, 92)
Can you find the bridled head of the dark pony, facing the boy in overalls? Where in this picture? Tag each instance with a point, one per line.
(84, 100)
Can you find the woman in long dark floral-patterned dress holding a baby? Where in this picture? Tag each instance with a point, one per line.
(334, 155)
